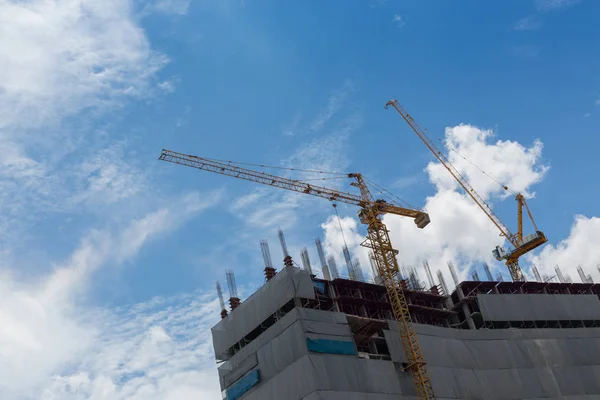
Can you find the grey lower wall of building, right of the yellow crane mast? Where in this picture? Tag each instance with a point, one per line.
(509, 364)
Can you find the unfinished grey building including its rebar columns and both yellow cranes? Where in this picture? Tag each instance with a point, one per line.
(302, 337)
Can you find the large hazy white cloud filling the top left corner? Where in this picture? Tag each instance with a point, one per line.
(59, 58)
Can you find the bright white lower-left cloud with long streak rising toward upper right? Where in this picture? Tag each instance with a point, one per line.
(46, 329)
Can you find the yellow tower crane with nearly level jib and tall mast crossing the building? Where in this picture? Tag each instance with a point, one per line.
(377, 240)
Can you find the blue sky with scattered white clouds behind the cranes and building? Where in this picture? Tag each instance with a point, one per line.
(96, 231)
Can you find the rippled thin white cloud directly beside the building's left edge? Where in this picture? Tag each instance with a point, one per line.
(161, 349)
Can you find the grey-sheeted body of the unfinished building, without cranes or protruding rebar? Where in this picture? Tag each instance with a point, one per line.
(300, 337)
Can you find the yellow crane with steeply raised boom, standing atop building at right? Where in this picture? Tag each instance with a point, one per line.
(521, 245)
